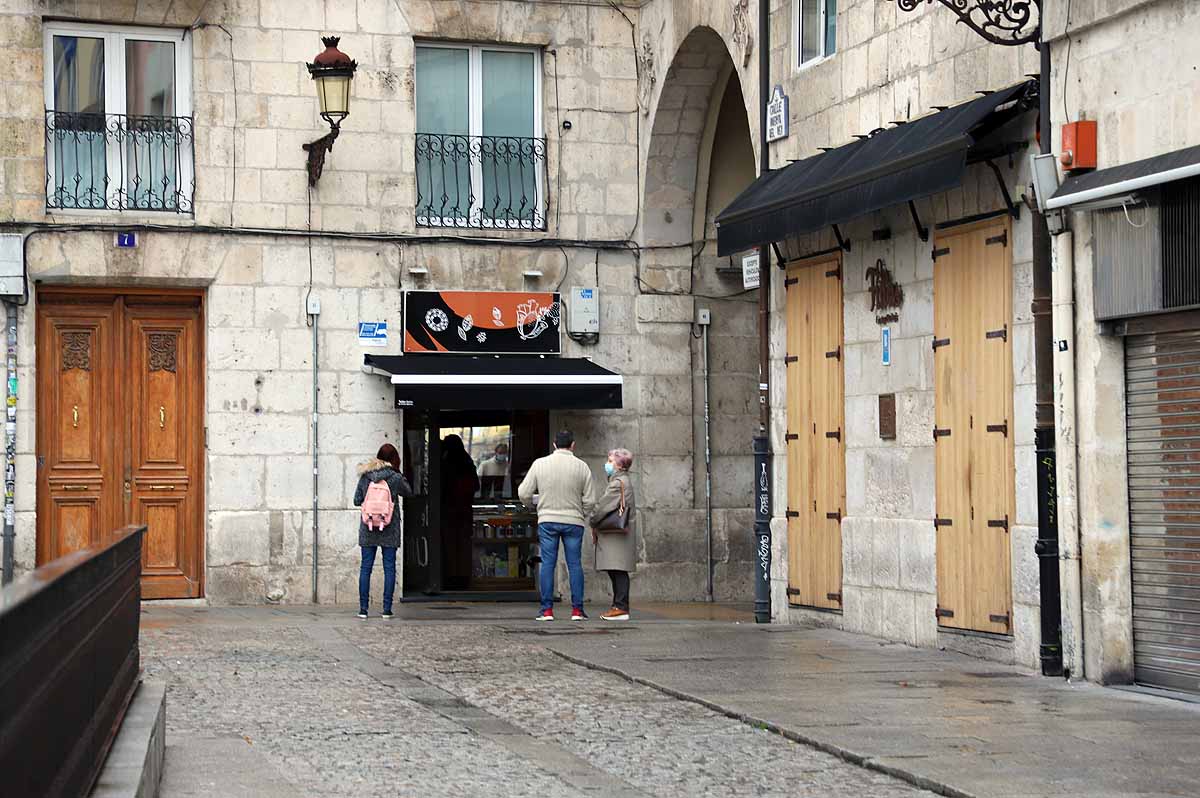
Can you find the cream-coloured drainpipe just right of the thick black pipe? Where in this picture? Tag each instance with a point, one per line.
(1066, 443)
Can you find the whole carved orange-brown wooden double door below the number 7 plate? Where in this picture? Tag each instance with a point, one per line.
(121, 407)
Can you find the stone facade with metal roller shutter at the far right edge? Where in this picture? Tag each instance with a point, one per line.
(1131, 69)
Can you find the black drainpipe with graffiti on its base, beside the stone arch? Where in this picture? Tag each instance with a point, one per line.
(763, 441)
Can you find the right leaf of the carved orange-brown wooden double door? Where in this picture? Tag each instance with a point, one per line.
(161, 483)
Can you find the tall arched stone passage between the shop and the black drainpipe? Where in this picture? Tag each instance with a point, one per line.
(699, 158)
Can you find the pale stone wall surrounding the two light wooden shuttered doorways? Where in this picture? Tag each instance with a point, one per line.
(890, 68)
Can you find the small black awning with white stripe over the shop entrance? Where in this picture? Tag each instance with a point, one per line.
(506, 383)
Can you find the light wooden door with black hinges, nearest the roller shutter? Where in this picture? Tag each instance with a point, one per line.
(974, 427)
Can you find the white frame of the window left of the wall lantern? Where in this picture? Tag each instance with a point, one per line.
(116, 101)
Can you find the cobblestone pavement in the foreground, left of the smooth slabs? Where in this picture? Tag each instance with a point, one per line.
(317, 706)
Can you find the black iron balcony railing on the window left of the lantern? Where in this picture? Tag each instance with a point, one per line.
(119, 163)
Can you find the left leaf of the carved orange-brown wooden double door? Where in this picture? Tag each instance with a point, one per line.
(76, 359)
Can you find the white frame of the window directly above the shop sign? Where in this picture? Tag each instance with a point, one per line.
(476, 128)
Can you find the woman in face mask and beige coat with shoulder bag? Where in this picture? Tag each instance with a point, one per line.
(614, 527)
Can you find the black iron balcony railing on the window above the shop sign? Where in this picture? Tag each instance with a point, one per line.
(482, 182)
